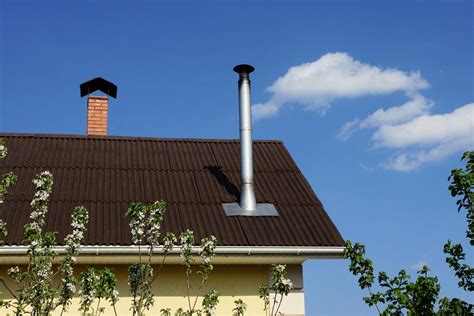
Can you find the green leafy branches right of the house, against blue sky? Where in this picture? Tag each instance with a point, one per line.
(398, 295)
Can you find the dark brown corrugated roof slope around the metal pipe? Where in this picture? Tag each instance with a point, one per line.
(194, 176)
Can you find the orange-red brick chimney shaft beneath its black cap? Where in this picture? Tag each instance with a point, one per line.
(97, 107)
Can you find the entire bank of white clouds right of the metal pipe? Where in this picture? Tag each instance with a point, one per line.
(417, 135)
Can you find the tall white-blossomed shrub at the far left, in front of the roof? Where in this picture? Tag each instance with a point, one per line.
(36, 294)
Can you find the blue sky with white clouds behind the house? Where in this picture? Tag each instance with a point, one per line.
(384, 184)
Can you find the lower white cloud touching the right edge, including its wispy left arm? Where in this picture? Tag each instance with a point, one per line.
(419, 136)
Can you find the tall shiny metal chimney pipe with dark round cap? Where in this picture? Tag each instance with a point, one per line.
(247, 193)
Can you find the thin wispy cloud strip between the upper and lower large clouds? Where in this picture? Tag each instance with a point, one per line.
(416, 106)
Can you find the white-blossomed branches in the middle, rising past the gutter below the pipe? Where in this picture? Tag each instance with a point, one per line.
(145, 225)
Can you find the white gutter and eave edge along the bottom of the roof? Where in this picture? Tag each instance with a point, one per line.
(224, 254)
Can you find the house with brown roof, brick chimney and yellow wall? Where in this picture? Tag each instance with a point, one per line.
(196, 178)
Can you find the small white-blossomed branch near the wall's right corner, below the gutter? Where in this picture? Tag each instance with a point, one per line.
(281, 286)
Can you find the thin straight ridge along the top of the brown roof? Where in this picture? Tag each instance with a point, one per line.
(133, 138)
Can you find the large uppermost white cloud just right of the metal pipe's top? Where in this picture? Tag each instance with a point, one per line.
(333, 76)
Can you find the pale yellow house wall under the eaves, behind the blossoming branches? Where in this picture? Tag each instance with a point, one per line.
(231, 281)
